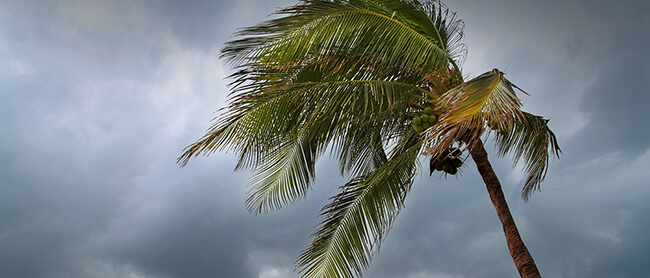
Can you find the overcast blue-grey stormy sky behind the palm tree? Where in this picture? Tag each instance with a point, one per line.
(98, 98)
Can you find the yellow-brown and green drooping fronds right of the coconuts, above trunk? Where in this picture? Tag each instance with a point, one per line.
(489, 101)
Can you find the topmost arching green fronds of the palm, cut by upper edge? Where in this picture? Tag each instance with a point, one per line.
(333, 28)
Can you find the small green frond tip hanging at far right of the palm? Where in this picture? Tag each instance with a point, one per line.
(533, 141)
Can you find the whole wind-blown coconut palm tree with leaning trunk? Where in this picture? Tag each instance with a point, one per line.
(377, 84)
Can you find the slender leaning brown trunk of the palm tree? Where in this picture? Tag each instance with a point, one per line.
(523, 260)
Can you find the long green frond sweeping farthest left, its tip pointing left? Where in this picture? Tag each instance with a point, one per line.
(257, 122)
